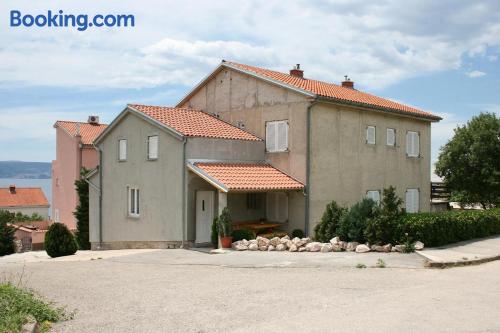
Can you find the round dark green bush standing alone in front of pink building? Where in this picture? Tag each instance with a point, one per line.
(59, 241)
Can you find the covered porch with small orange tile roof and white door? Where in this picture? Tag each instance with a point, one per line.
(259, 197)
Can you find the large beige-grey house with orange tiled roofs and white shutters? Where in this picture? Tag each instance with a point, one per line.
(270, 146)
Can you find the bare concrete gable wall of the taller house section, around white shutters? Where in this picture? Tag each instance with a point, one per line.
(240, 97)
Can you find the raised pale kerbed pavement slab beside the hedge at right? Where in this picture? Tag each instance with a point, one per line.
(465, 252)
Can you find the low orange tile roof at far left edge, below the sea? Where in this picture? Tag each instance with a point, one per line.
(23, 196)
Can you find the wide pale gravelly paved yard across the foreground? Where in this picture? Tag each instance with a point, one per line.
(188, 291)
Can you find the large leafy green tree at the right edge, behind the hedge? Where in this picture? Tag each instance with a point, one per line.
(470, 162)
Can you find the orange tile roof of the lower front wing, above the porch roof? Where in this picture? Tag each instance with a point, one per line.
(192, 122)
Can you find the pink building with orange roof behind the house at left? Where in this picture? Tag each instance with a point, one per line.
(74, 151)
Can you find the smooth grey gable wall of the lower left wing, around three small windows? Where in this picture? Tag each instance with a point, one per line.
(159, 182)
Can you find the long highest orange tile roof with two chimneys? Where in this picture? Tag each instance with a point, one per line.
(334, 91)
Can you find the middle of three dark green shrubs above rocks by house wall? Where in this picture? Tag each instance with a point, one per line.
(353, 223)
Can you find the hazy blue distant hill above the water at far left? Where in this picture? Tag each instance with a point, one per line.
(25, 170)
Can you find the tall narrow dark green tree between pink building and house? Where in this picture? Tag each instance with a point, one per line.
(82, 213)
